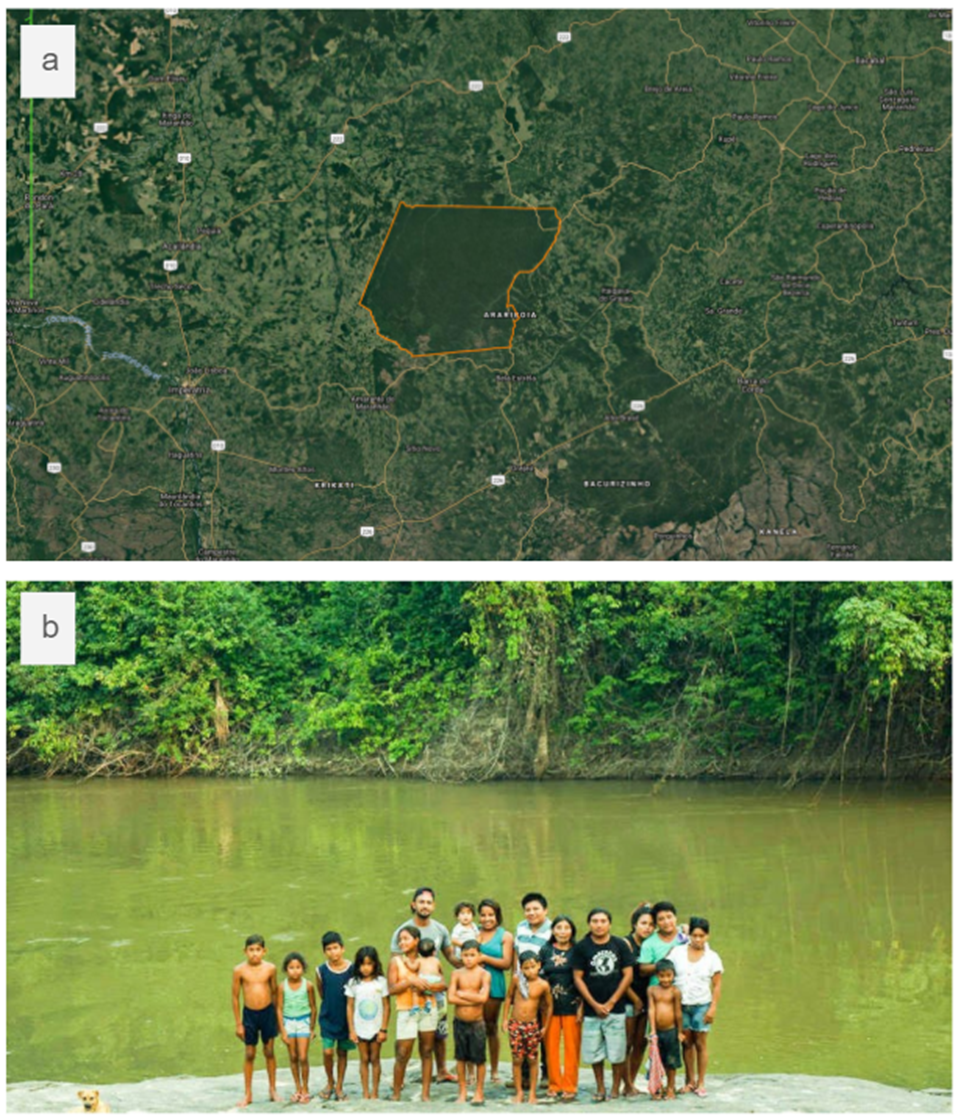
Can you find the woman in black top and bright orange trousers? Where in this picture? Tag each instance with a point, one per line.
(558, 970)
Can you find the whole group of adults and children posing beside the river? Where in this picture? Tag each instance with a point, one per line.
(560, 1000)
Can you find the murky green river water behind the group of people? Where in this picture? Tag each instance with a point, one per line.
(128, 905)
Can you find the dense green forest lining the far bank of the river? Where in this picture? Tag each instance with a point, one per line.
(479, 681)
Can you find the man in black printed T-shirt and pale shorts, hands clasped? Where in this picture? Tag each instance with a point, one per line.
(604, 970)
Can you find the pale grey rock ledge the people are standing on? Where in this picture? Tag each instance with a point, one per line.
(743, 1093)
